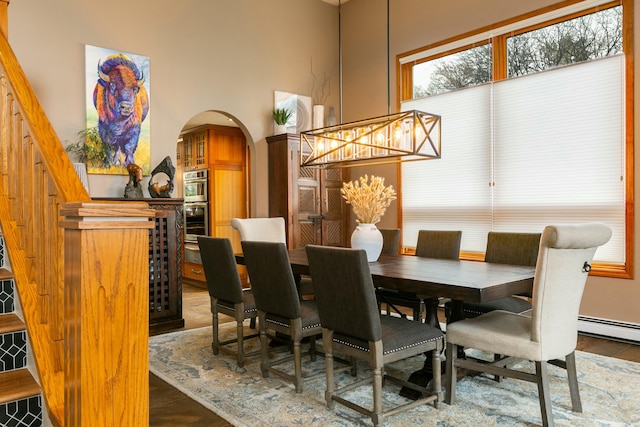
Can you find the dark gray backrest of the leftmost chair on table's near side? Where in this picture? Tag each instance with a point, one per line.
(220, 269)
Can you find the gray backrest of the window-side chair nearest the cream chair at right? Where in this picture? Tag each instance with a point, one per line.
(513, 248)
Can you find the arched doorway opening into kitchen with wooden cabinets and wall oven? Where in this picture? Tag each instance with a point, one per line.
(213, 166)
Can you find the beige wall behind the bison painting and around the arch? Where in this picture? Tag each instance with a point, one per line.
(220, 55)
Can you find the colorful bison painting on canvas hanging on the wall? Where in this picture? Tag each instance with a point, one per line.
(117, 111)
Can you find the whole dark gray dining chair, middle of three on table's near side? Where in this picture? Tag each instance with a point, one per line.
(280, 310)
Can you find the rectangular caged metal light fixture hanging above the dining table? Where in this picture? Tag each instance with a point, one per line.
(399, 137)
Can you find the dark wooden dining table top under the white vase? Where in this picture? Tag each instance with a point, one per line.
(470, 281)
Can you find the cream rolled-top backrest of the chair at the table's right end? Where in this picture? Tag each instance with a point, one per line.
(560, 277)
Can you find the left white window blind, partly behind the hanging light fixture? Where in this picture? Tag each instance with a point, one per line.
(452, 193)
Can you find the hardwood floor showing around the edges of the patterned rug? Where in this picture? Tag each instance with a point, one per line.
(171, 408)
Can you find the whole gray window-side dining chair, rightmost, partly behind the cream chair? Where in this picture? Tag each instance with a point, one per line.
(505, 248)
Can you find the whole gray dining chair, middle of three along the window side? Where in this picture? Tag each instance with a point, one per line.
(443, 244)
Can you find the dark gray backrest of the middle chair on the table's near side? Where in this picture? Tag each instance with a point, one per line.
(271, 277)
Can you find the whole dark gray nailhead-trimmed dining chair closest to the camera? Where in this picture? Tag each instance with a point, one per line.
(353, 326)
